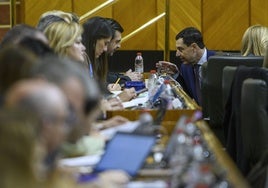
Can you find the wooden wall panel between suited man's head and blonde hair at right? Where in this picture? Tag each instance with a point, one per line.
(224, 23)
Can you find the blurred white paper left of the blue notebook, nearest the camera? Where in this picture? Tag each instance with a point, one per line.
(89, 160)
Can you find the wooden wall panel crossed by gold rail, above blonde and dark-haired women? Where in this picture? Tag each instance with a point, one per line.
(81, 7)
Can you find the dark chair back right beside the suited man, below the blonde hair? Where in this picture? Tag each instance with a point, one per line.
(211, 84)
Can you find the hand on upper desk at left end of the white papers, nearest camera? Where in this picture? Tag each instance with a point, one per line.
(111, 104)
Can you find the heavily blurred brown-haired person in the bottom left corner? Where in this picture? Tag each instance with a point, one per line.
(17, 147)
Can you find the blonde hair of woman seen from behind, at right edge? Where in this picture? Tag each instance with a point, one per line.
(254, 41)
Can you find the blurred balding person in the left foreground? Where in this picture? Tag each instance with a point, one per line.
(48, 105)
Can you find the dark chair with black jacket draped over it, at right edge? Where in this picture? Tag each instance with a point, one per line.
(245, 116)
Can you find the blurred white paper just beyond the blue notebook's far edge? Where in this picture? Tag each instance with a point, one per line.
(126, 127)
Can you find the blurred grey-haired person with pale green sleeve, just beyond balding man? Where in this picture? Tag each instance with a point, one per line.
(84, 97)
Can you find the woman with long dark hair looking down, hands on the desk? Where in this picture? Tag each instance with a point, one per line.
(96, 37)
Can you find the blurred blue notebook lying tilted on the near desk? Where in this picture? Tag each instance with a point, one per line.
(126, 151)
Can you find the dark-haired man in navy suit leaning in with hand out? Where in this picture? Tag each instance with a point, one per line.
(192, 54)
